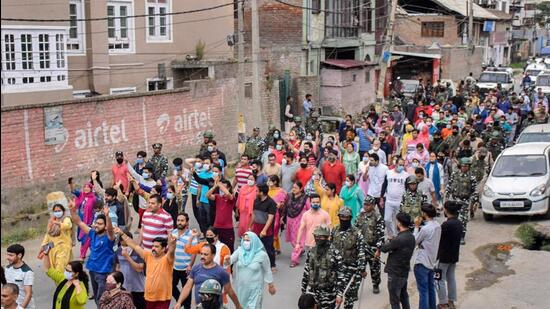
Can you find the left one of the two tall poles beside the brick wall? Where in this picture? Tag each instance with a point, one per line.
(240, 74)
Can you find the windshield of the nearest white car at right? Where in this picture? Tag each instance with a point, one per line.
(520, 166)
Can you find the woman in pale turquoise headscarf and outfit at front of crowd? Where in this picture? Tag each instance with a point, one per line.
(252, 270)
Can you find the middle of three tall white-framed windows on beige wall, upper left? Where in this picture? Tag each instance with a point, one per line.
(119, 26)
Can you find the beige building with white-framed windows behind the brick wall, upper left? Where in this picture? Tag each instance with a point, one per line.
(56, 50)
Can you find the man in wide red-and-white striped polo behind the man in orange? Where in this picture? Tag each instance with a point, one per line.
(156, 222)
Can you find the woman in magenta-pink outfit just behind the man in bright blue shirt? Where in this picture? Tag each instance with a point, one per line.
(85, 201)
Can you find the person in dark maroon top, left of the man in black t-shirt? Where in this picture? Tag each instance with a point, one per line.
(221, 194)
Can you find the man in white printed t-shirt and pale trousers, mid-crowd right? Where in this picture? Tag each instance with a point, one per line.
(392, 192)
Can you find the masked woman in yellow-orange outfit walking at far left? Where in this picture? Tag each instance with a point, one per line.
(58, 238)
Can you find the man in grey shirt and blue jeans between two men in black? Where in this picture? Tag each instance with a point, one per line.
(427, 233)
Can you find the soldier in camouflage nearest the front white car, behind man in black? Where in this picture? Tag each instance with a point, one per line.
(462, 188)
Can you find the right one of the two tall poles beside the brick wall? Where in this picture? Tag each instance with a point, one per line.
(256, 100)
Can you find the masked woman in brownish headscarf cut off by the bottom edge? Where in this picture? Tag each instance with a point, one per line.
(115, 297)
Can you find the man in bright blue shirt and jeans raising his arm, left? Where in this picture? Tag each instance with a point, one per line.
(102, 240)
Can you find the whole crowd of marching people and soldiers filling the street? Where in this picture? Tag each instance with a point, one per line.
(342, 199)
